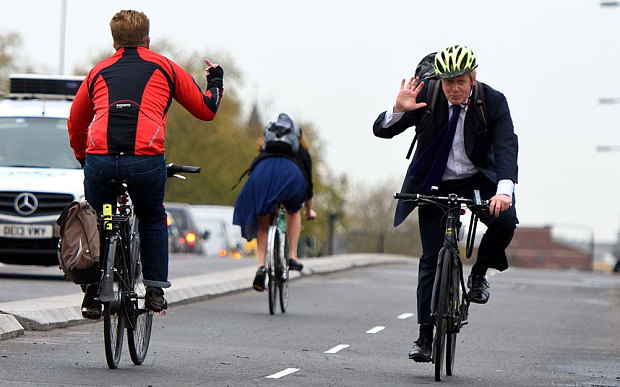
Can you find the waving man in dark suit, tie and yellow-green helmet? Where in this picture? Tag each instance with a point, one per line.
(457, 153)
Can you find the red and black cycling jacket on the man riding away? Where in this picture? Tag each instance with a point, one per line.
(129, 95)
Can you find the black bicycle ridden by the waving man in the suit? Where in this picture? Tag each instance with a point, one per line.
(449, 300)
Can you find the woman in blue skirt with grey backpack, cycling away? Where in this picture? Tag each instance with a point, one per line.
(276, 175)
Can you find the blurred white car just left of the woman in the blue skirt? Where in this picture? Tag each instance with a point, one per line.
(224, 238)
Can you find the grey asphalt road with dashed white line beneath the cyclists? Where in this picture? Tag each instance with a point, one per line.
(539, 328)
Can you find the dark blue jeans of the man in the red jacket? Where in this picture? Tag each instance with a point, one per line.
(146, 176)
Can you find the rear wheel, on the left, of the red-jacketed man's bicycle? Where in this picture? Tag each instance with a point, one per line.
(113, 315)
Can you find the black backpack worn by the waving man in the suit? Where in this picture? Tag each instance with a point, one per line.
(426, 72)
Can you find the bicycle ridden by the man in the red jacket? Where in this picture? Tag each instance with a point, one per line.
(121, 290)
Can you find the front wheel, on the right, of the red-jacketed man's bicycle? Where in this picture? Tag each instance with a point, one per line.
(141, 323)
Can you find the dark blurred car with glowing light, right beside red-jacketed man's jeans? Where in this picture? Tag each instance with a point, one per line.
(192, 238)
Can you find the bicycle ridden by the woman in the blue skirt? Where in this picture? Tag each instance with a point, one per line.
(276, 261)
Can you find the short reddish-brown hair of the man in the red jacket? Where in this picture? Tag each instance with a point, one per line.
(130, 28)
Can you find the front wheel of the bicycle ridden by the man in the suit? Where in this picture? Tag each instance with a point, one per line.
(440, 318)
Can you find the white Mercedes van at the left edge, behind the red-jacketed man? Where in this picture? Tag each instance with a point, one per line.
(39, 174)
